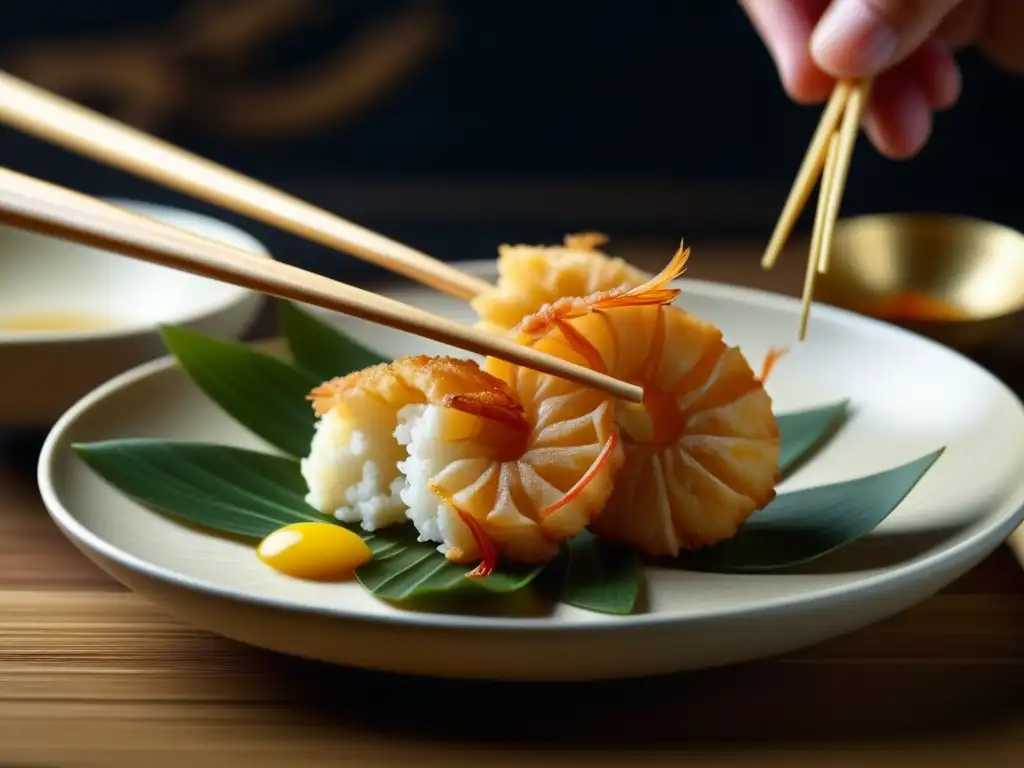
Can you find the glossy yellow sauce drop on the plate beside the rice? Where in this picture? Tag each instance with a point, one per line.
(318, 551)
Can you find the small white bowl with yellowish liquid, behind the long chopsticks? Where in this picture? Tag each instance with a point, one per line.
(103, 310)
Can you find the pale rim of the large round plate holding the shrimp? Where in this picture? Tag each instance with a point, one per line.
(1010, 515)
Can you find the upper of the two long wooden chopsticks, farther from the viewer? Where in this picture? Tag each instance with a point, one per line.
(60, 121)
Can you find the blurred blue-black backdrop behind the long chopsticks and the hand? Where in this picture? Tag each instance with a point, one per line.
(529, 120)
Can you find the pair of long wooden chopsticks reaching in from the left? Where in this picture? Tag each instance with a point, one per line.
(49, 209)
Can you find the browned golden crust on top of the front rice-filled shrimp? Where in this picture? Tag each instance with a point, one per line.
(441, 381)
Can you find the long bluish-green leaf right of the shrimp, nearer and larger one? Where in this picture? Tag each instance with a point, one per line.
(807, 525)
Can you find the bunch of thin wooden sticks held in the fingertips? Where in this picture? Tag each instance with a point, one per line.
(828, 156)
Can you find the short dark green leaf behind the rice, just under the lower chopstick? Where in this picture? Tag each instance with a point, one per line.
(320, 349)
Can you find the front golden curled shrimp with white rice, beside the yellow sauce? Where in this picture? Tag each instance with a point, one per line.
(486, 467)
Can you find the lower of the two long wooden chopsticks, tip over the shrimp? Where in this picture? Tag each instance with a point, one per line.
(45, 208)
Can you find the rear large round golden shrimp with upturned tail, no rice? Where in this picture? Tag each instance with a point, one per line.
(702, 452)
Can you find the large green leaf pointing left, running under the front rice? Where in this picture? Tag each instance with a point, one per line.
(249, 494)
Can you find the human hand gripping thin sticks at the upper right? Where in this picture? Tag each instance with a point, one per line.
(907, 46)
